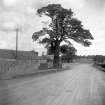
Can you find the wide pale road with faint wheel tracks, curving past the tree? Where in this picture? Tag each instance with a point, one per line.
(82, 85)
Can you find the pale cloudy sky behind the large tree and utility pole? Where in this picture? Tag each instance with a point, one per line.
(22, 14)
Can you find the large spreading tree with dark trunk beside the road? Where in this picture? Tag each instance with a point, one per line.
(63, 27)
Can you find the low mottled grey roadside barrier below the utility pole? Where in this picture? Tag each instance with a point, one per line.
(10, 69)
